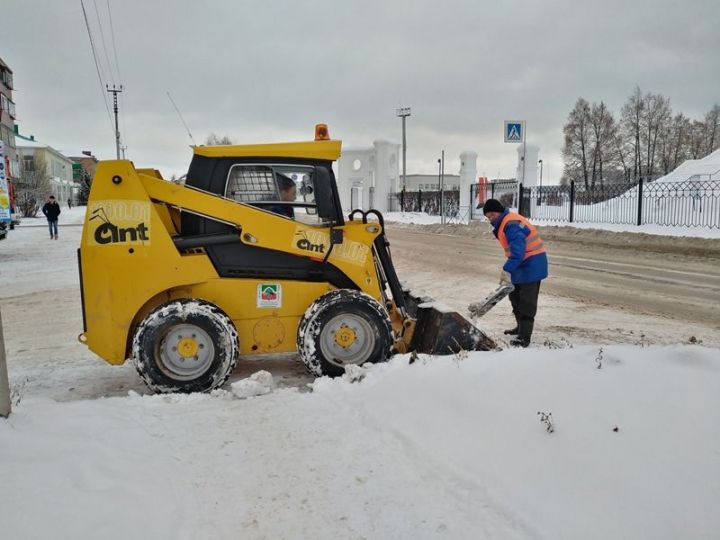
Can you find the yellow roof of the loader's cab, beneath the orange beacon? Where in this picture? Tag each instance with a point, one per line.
(324, 150)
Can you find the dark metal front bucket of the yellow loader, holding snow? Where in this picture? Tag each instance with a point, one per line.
(440, 330)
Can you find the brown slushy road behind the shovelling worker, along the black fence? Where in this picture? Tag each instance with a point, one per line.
(667, 284)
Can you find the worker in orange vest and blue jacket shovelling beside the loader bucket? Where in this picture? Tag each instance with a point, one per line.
(526, 265)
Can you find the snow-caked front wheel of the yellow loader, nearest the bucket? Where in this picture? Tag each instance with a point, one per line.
(343, 327)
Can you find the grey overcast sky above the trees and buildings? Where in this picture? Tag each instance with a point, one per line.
(268, 71)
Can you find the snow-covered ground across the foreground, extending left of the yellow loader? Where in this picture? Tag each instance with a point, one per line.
(441, 448)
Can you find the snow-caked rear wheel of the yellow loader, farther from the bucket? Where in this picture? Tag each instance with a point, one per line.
(185, 346)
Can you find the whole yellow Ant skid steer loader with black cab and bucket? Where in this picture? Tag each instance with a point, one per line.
(252, 255)
